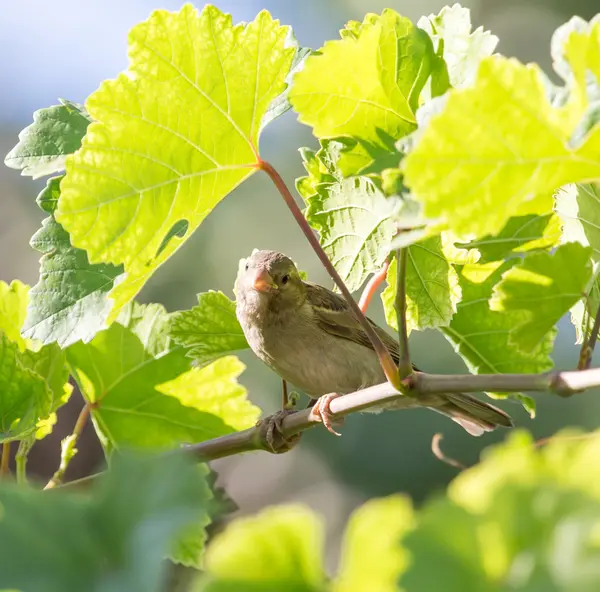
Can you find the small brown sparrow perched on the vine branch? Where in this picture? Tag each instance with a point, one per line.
(311, 338)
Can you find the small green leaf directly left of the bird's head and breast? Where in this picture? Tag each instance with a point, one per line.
(210, 329)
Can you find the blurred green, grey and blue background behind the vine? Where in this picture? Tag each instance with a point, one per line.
(65, 49)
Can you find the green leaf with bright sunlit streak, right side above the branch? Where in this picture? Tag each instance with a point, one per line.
(544, 286)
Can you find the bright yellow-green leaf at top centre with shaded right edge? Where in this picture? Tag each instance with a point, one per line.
(365, 87)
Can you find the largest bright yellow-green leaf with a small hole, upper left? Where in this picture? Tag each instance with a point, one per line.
(172, 136)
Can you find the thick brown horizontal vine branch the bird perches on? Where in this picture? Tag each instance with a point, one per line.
(253, 439)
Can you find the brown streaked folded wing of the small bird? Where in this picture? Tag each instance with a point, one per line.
(335, 316)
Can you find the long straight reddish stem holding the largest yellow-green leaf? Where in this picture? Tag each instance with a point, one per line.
(385, 359)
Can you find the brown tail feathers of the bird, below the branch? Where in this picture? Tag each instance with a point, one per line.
(475, 416)
